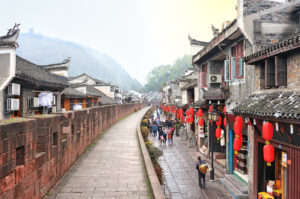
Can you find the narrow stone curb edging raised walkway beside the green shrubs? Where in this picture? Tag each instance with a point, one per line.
(157, 190)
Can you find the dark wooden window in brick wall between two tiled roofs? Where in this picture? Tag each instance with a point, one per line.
(275, 73)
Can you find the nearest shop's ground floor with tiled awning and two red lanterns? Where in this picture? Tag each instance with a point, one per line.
(274, 152)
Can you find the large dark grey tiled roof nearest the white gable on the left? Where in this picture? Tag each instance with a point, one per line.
(34, 74)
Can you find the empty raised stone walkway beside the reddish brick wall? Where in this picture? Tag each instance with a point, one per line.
(112, 168)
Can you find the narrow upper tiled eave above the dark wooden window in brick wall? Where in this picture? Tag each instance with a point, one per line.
(277, 48)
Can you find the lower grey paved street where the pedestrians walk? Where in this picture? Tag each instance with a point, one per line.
(178, 162)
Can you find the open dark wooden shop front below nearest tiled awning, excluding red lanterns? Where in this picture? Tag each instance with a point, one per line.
(281, 177)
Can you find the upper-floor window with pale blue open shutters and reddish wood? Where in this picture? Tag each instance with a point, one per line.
(234, 67)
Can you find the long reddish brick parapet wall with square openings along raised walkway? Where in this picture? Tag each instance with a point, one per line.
(37, 151)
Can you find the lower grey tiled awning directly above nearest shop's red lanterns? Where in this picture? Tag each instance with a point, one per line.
(272, 105)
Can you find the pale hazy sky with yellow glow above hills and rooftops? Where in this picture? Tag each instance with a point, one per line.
(138, 34)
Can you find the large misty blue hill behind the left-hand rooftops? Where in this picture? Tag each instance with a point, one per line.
(45, 50)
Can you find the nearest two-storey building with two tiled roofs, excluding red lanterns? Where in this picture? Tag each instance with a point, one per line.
(276, 100)
